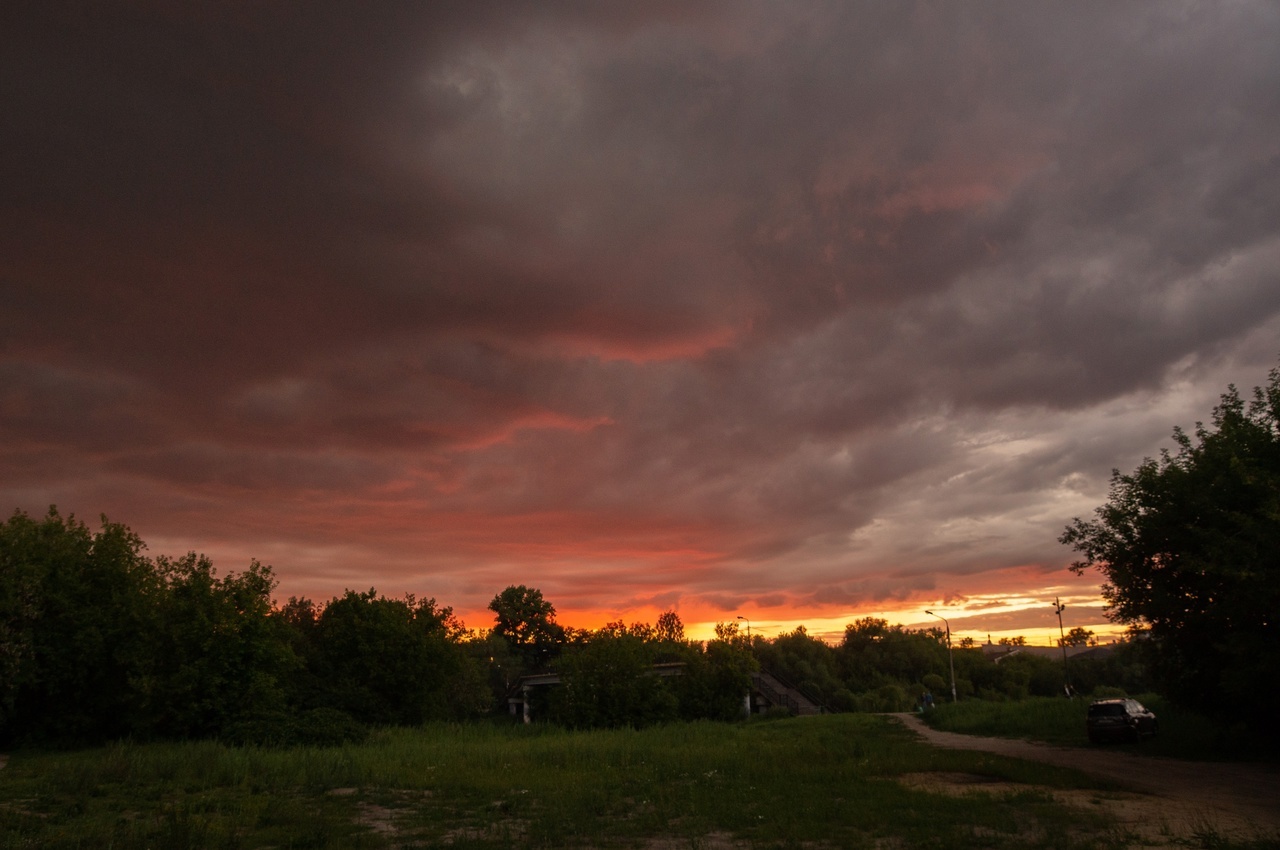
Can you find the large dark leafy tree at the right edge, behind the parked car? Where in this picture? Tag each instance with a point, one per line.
(1190, 549)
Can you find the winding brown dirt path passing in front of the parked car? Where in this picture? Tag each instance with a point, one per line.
(1241, 801)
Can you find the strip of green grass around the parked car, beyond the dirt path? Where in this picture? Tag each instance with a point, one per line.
(1183, 735)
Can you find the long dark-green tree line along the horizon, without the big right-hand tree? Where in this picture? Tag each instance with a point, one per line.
(100, 642)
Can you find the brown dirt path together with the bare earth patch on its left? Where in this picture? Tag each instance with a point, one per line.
(1169, 803)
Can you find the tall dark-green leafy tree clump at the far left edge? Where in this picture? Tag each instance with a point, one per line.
(99, 642)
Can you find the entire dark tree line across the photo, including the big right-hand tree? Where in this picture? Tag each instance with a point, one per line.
(100, 642)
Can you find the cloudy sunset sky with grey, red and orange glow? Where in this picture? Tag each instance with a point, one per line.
(788, 310)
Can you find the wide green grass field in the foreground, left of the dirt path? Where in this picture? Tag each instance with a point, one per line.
(812, 783)
